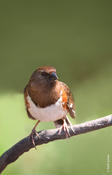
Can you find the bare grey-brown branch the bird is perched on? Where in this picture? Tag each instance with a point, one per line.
(46, 136)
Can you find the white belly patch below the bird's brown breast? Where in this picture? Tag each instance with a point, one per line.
(50, 113)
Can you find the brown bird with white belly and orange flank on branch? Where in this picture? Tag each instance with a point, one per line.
(48, 100)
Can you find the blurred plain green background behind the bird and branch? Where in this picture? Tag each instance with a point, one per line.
(76, 38)
